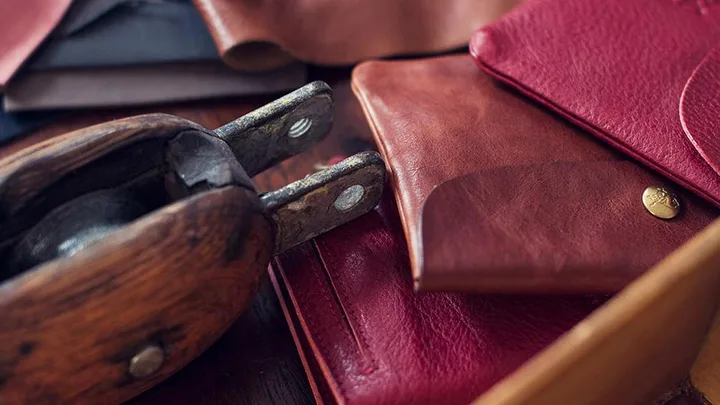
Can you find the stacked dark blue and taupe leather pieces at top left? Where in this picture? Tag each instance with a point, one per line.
(108, 53)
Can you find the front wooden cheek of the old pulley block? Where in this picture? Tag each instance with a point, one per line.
(173, 280)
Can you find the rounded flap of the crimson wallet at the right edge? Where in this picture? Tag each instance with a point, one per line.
(700, 108)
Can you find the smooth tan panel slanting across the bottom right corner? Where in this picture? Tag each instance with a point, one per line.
(634, 348)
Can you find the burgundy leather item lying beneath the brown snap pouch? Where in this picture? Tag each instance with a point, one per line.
(365, 337)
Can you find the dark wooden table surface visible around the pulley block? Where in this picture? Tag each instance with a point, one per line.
(255, 362)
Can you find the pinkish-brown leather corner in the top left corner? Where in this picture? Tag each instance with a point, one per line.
(24, 24)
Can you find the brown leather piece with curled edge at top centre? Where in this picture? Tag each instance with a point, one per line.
(259, 35)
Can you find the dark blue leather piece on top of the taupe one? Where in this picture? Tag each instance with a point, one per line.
(103, 33)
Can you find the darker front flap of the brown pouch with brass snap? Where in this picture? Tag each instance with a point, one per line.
(560, 227)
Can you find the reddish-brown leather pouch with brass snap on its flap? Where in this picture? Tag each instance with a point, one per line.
(497, 195)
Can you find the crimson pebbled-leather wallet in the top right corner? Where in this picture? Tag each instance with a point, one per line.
(643, 75)
